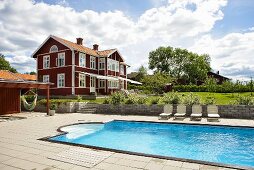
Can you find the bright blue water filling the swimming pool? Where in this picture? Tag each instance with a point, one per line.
(219, 144)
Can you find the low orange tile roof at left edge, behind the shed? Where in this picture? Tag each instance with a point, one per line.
(7, 75)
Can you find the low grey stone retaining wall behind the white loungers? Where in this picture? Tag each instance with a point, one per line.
(225, 111)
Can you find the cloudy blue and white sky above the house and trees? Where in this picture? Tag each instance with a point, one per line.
(224, 29)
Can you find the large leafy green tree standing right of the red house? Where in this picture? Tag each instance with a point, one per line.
(180, 63)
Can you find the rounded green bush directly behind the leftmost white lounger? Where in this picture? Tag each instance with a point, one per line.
(170, 98)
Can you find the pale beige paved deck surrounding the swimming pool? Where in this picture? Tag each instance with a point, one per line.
(21, 149)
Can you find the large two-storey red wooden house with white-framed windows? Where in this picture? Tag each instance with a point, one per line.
(78, 70)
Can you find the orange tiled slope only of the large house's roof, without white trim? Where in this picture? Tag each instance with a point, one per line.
(84, 49)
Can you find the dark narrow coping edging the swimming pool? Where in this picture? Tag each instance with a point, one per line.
(143, 154)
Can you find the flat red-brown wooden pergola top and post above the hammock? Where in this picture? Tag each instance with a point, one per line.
(12, 84)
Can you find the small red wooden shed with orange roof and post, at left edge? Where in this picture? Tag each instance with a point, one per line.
(10, 91)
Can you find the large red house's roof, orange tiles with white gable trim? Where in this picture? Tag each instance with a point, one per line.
(81, 48)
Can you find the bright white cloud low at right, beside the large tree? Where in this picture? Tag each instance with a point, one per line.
(231, 54)
